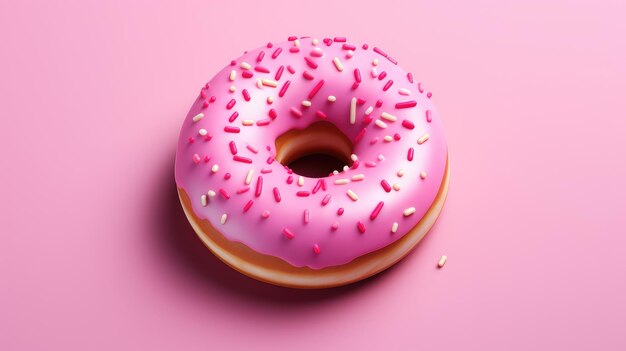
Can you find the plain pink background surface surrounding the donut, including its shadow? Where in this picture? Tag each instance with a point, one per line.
(95, 251)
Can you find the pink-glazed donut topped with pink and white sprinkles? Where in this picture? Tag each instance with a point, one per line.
(281, 103)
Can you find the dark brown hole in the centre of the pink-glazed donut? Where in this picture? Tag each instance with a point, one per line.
(315, 151)
